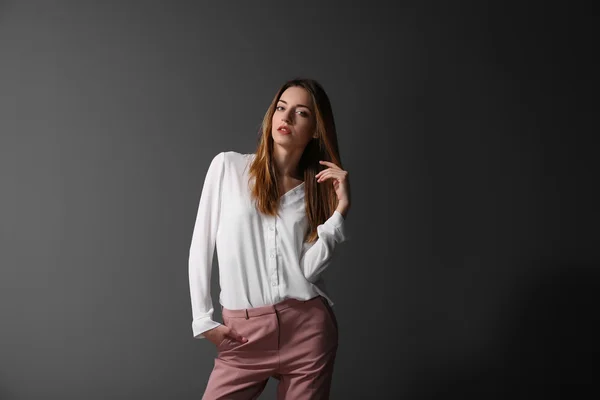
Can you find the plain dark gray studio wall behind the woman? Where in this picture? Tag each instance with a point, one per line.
(473, 266)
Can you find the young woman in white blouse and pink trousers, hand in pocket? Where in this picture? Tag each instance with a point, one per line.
(275, 217)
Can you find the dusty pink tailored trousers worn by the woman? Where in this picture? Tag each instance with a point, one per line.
(294, 341)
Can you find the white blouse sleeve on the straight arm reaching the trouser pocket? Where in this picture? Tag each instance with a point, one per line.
(202, 248)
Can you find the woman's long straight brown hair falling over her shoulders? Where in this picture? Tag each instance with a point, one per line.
(320, 199)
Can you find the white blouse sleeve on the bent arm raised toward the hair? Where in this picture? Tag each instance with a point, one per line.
(316, 258)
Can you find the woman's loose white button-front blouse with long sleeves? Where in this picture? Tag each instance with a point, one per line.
(262, 259)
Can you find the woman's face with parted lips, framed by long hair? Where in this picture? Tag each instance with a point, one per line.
(294, 111)
